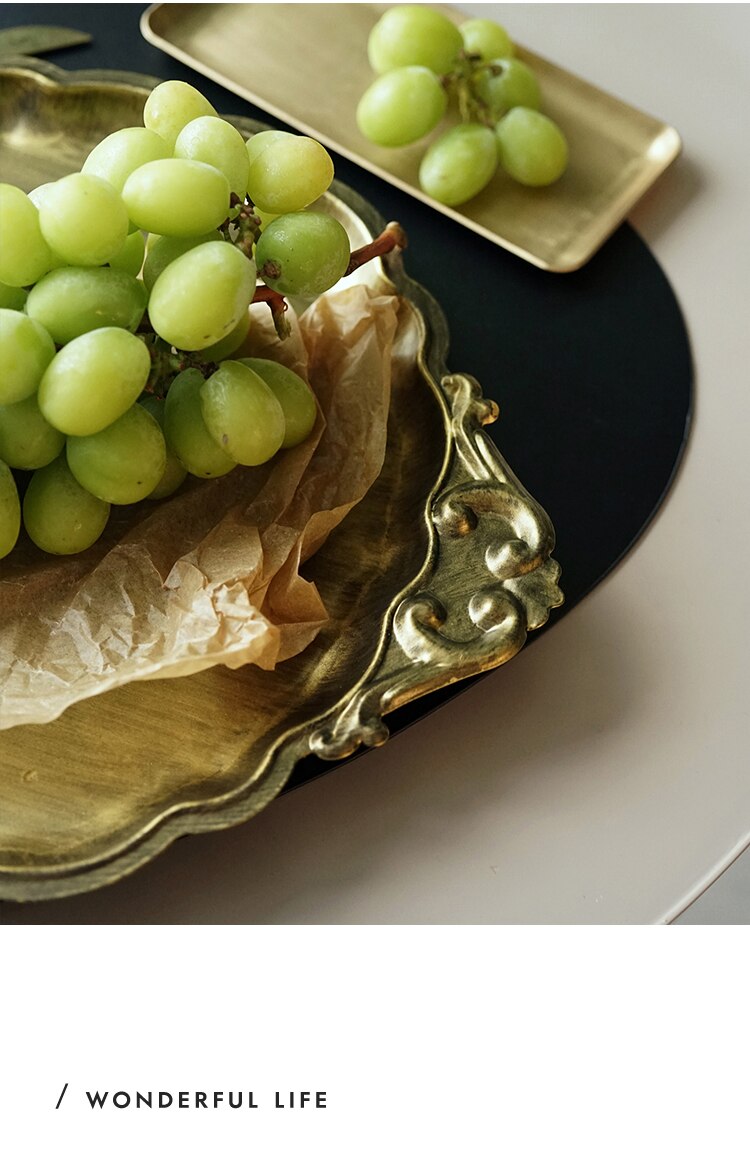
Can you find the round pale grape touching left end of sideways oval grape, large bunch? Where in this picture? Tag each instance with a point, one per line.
(84, 219)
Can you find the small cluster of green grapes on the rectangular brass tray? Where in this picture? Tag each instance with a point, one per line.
(422, 60)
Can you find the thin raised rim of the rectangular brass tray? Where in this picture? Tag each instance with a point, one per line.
(671, 148)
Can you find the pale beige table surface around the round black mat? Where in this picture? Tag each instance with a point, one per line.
(604, 775)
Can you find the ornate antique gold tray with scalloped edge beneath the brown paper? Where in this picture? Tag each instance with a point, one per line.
(437, 575)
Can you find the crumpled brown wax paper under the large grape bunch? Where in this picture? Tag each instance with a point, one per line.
(211, 575)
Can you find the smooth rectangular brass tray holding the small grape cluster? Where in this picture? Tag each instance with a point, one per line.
(308, 66)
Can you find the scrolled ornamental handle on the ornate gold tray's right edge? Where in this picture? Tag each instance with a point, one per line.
(488, 581)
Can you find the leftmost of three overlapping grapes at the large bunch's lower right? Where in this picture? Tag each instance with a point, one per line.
(186, 433)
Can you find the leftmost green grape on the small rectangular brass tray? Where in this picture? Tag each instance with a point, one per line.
(401, 107)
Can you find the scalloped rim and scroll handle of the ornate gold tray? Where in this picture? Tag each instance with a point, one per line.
(412, 656)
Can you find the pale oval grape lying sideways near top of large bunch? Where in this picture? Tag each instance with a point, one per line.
(177, 198)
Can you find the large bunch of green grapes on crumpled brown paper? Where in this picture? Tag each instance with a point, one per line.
(125, 293)
